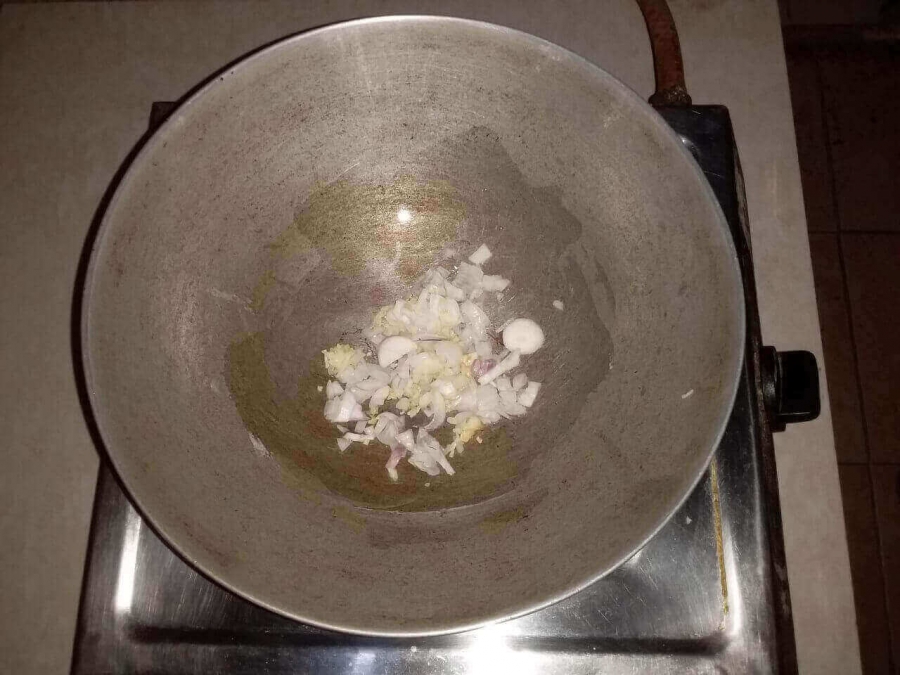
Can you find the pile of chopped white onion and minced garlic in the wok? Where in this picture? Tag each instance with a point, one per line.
(435, 358)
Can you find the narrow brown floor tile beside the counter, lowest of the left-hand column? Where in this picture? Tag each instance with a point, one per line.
(865, 564)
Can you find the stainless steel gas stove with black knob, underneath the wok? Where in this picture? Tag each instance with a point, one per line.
(708, 594)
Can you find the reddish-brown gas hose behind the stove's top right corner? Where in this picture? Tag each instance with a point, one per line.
(668, 65)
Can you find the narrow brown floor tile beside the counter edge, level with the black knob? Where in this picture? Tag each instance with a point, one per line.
(834, 319)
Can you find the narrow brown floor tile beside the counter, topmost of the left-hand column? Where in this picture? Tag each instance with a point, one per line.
(809, 125)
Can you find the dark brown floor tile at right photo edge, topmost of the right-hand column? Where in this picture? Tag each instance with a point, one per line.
(861, 91)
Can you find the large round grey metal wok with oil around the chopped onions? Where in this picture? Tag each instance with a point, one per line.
(258, 226)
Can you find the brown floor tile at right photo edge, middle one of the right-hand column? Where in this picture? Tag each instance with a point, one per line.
(873, 279)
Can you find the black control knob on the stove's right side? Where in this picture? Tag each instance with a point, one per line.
(790, 386)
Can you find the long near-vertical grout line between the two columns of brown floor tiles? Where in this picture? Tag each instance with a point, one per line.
(853, 345)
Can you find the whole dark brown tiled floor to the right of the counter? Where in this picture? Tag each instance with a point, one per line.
(846, 100)
